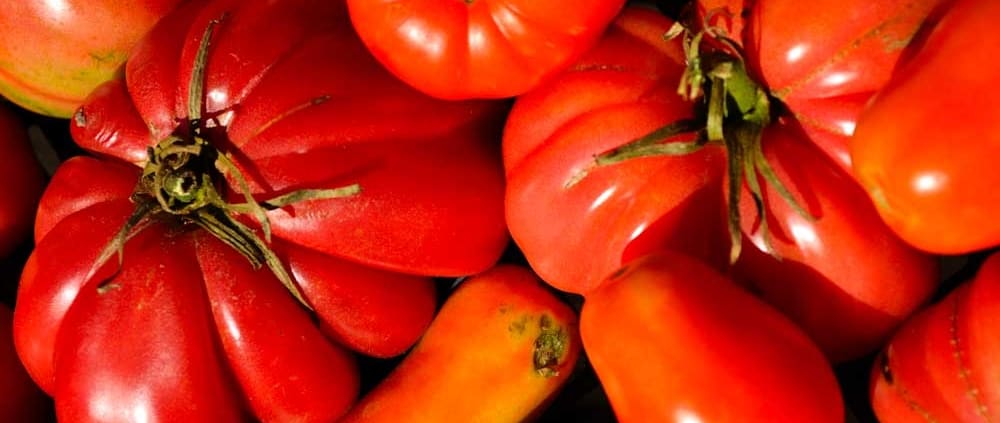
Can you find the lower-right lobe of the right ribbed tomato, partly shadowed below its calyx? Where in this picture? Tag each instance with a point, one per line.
(843, 275)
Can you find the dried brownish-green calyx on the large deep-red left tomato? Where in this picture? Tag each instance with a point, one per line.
(184, 180)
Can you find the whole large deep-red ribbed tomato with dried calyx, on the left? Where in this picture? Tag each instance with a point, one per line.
(353, 170)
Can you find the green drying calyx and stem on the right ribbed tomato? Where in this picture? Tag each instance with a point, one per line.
(733, 111)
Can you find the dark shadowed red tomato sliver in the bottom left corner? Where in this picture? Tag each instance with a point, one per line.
(20, 398)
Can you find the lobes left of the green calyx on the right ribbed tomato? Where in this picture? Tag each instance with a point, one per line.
(575, 222)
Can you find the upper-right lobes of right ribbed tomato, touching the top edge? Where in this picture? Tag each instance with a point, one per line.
(826, 66)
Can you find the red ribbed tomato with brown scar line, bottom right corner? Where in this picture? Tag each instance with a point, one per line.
(941, 365)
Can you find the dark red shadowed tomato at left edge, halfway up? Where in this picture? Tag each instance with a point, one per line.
(17, 205)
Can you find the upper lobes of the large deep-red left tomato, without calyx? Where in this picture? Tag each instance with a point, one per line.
(264, 121)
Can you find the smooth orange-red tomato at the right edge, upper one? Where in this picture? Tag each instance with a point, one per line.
(925, 162)
